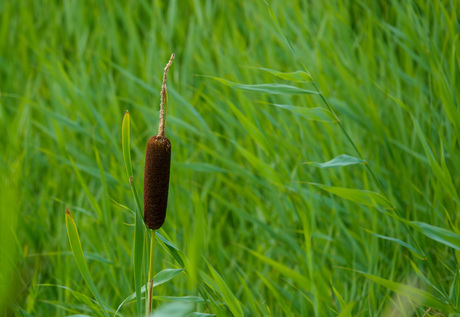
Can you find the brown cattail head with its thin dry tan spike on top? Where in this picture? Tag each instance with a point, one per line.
(157, 166)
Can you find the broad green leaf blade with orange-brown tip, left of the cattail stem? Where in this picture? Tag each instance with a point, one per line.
(77, 251)
